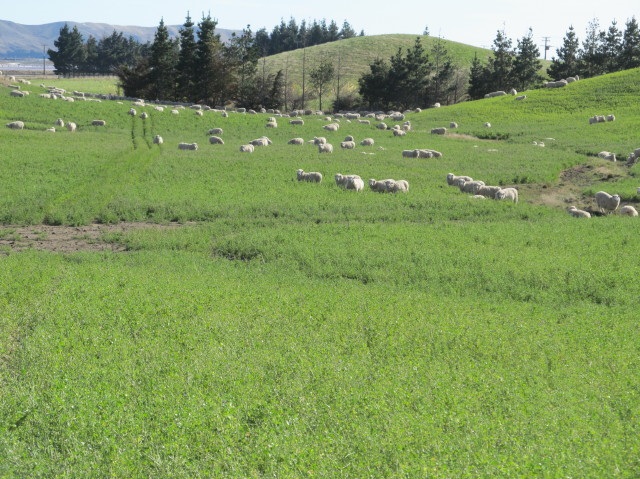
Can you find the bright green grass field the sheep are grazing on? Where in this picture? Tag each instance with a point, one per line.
(289, 329)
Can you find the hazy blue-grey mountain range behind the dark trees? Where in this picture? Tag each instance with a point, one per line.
(30, 41)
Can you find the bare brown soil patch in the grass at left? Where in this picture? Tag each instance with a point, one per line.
(69, 239)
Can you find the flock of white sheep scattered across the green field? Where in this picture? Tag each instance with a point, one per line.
(606, 203)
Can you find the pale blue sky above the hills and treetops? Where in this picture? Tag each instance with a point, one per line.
(467, 21)
